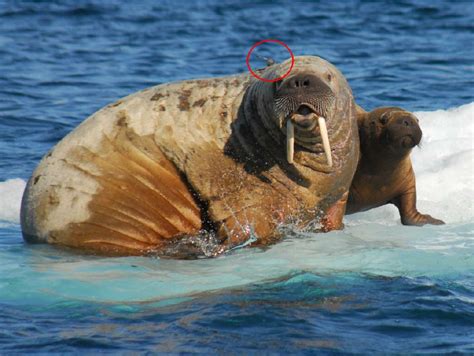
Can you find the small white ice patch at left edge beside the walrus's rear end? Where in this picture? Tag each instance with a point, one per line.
(11, 192)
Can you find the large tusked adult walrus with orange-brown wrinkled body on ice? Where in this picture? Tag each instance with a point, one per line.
(234, 156)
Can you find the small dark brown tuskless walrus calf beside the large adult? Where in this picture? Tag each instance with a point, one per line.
(385, 174)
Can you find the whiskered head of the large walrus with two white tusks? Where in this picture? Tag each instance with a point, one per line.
(311, 110)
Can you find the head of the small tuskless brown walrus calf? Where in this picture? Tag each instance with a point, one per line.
(391, 130)
